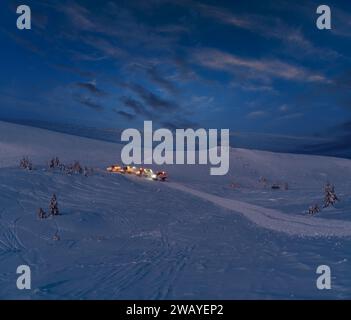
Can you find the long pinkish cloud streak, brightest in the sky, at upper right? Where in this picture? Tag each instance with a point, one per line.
(219, 60)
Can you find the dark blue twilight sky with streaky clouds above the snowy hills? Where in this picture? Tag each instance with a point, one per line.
(260, 68)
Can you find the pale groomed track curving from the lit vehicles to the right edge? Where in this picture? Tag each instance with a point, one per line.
(273, 219)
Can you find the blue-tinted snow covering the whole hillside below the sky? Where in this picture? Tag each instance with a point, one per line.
(197, 236)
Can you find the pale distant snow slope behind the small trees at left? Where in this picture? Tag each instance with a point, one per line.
(40, 145)
